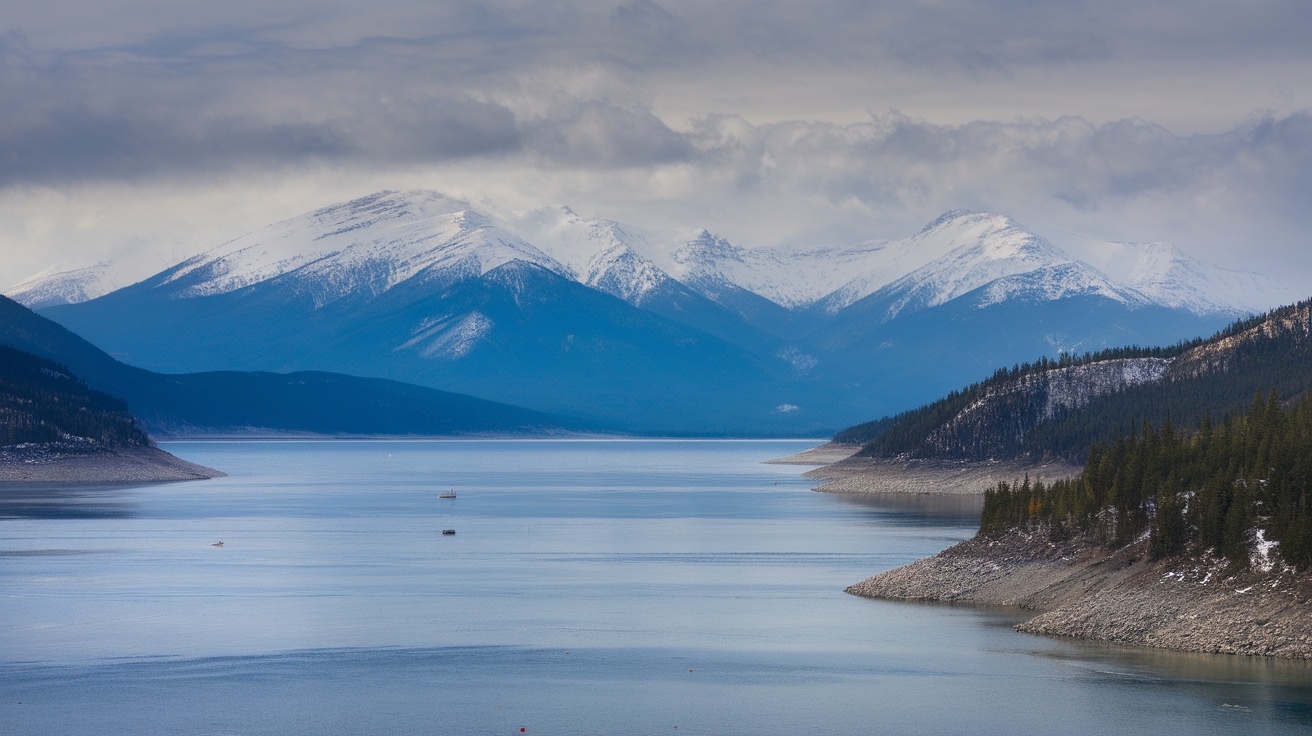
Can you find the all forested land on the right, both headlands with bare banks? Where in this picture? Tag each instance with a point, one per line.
(1115, 508)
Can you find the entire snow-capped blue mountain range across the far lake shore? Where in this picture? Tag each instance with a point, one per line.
(587, 318)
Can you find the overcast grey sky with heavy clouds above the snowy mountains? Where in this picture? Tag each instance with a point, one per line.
(148, 131)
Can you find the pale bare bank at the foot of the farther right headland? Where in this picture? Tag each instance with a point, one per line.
(878, 476)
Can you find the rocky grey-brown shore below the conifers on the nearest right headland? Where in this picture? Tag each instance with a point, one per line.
(1084, 591)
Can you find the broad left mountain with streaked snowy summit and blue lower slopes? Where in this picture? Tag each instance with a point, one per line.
(414, 288)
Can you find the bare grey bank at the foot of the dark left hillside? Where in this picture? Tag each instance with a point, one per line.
(138, 465)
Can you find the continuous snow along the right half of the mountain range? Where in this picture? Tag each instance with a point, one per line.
(964, 251)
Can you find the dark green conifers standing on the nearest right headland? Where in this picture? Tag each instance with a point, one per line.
(1220, 490)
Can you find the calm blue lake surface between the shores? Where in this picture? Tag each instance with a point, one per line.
(591, 588)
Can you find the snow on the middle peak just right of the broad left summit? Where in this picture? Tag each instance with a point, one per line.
(599, 254)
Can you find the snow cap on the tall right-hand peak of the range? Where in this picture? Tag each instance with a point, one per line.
(979, 251)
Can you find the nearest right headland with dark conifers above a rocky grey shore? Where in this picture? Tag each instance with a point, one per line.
(1187, 541)
